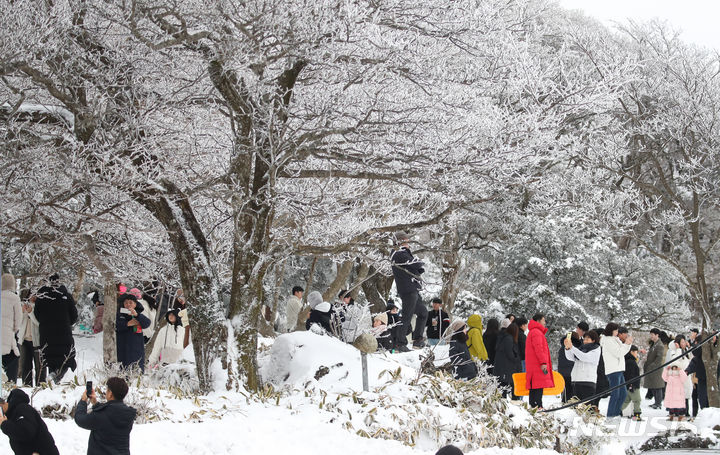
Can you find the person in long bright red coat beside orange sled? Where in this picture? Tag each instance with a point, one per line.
(538, 363)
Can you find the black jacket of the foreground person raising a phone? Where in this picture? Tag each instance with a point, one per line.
(109, 424)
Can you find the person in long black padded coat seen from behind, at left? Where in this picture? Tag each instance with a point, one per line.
(56, 313)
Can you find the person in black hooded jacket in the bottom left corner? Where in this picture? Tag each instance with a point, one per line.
(22, 423)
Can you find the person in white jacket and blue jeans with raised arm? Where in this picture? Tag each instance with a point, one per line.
(613, 352)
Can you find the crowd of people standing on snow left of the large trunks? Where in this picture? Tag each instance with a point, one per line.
(37, 338)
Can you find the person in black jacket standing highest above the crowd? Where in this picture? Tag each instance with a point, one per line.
(407, 272)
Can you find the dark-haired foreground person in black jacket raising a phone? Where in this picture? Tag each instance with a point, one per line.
(109, 423)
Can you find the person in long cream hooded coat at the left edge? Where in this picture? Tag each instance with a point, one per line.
(11, 316)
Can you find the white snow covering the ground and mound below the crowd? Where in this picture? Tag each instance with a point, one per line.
(310, 414)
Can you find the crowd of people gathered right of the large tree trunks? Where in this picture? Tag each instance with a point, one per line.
(590, 361)
